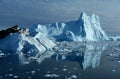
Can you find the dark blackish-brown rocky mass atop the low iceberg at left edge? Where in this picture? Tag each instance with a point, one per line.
(4, 33)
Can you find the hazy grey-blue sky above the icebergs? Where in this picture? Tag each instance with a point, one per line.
(29, 12)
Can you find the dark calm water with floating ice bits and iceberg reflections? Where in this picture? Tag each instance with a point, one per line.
(69, 60)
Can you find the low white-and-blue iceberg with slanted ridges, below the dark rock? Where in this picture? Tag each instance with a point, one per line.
(27, 44)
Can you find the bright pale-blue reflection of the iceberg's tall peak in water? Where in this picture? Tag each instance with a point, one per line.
(92, 55)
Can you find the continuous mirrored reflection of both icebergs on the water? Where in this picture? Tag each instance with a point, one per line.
(86, 54)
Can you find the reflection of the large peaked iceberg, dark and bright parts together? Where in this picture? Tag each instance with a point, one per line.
(87, 55)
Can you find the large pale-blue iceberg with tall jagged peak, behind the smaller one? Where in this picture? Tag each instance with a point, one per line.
(86, 28)
